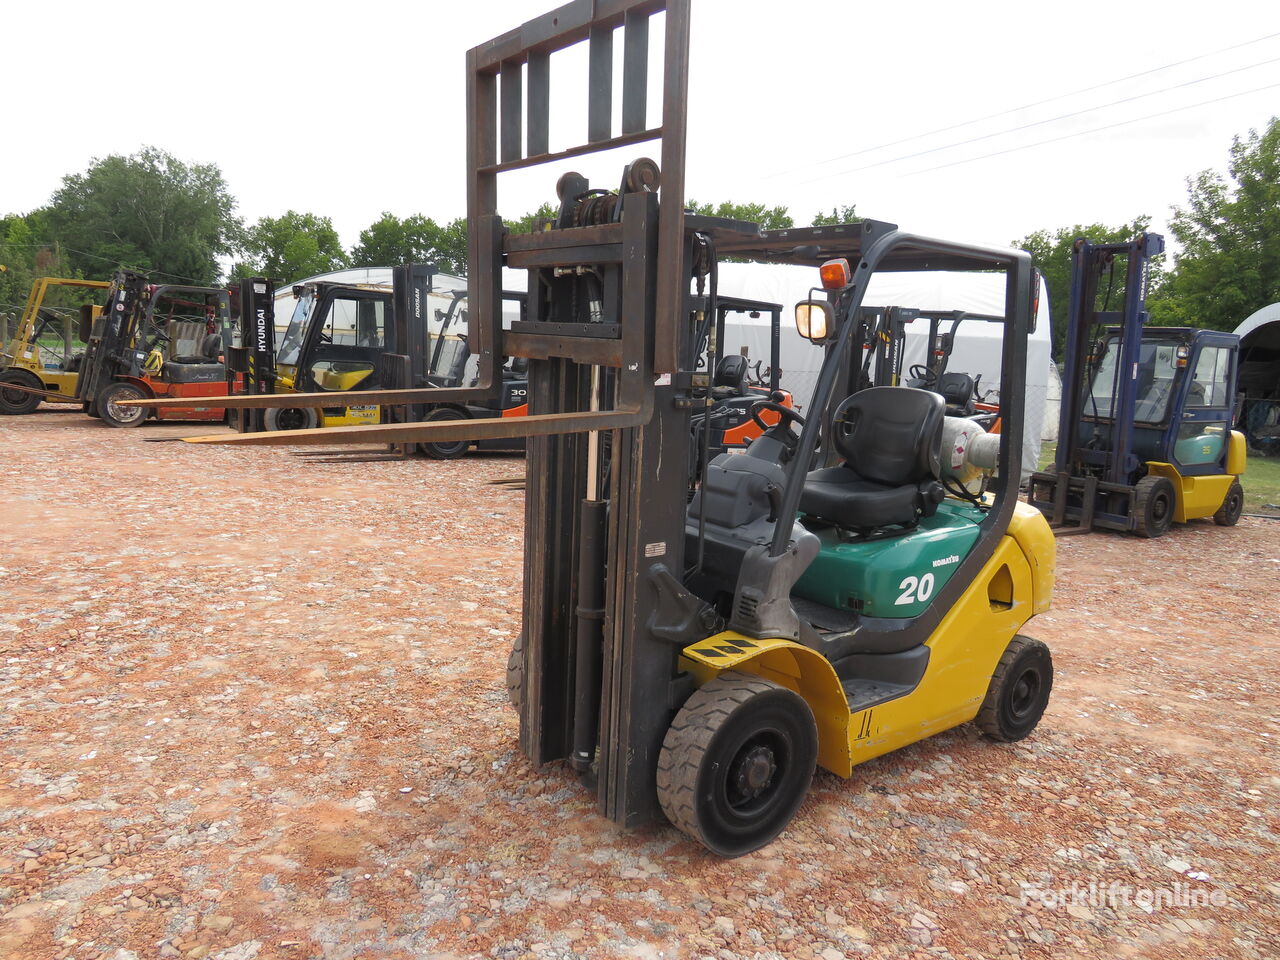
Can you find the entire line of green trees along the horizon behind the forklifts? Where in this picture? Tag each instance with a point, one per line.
(156, 213)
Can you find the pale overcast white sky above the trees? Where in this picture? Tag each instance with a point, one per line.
(351, 109)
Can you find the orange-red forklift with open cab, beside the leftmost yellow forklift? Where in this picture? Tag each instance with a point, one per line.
(156, 342)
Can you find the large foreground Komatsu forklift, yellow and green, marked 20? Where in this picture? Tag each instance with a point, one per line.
(698, 661)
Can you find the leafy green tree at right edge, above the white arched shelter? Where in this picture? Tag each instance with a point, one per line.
(1229, 264)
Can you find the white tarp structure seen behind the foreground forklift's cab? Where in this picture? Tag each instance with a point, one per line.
(977, 344)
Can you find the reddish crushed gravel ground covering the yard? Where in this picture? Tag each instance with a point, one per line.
(255, 708)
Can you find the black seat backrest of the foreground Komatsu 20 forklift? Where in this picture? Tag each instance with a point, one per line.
(892, 436)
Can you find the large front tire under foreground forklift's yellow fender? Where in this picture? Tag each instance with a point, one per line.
(737, 764)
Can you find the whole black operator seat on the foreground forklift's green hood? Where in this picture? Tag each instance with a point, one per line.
(892, 441)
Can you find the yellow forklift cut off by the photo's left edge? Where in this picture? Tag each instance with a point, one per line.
(42, 362)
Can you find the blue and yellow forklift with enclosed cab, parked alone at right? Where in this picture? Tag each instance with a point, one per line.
(1145, 437)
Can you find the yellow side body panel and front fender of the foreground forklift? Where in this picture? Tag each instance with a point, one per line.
(1016, 584)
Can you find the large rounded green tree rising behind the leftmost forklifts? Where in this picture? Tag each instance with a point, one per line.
(148, 211)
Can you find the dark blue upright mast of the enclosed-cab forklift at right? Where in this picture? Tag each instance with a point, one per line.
(1114, 463)
